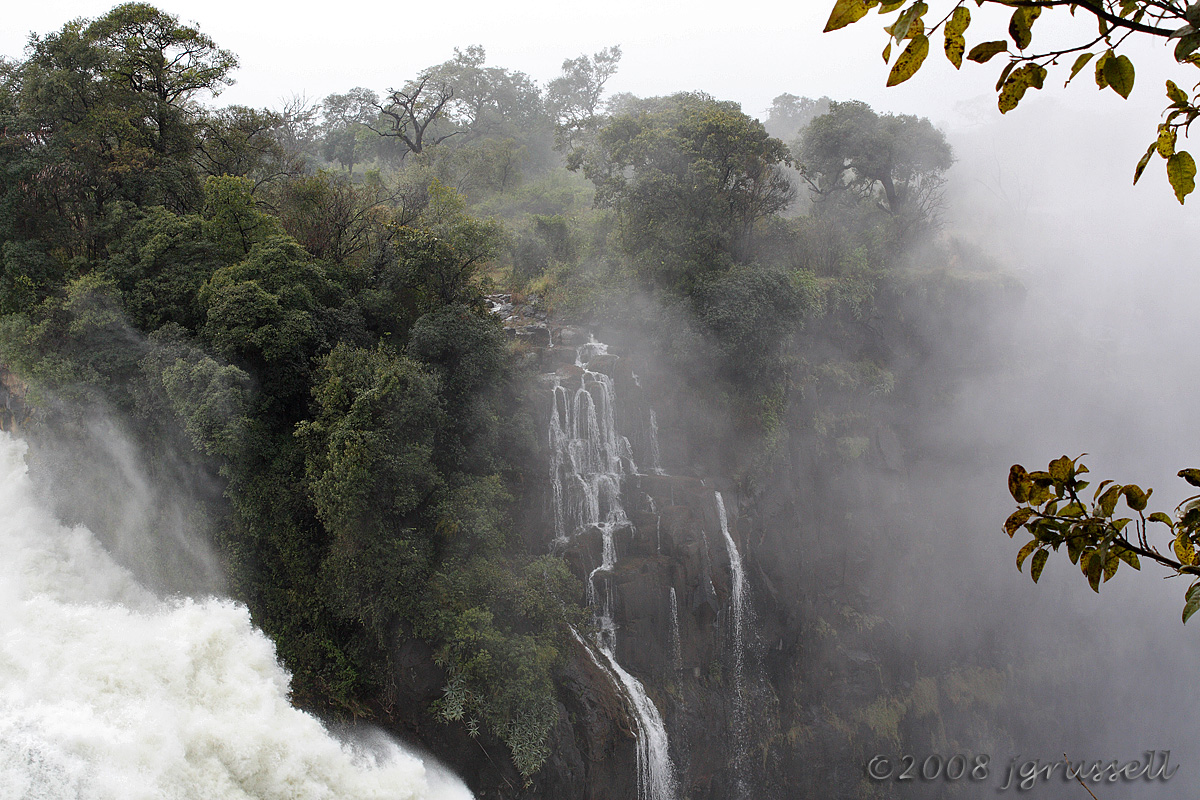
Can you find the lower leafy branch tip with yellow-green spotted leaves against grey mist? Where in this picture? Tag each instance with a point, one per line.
(1096, 539)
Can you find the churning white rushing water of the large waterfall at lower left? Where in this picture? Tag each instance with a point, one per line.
(111, 694)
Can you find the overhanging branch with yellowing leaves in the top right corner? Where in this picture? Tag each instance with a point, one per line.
(1028, 67)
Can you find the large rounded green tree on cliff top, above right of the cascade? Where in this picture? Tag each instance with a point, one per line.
(691, 178)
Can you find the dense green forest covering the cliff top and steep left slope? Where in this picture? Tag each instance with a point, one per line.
(293, 305)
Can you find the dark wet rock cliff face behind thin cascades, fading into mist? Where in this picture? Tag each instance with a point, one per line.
(783, 699)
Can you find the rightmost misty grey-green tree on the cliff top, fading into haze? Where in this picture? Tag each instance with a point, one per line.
(899, 161)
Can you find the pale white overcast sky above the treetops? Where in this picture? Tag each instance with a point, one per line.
(749, 52)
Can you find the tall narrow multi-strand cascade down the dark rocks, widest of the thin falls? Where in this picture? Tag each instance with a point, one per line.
(589, 460)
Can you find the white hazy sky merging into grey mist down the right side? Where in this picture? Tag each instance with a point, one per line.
(1103, 357)
